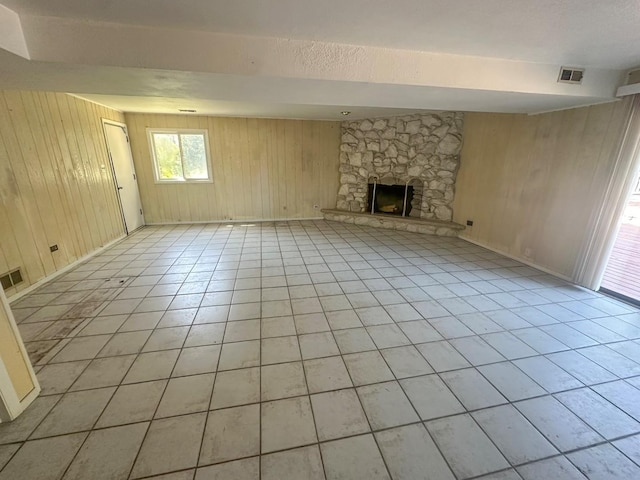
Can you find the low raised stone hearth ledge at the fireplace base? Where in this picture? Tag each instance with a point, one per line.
(393, 222)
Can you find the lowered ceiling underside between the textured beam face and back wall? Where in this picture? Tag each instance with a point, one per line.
(160, 91)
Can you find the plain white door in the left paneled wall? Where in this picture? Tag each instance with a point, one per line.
(125, 174)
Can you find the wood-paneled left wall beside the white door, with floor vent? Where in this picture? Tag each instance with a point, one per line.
(56, 183)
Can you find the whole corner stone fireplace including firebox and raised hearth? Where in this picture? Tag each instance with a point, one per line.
(385, 160)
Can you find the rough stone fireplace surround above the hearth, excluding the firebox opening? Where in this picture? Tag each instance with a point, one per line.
(422, 150)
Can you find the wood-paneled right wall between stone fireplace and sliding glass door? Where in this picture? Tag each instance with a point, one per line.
(531, 184)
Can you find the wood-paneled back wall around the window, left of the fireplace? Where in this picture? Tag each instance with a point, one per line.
(262, 169)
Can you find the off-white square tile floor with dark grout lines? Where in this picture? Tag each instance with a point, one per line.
(317, 350)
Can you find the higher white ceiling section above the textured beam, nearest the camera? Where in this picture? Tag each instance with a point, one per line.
(602, 33)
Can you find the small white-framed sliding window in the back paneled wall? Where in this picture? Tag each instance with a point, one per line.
(180, 156)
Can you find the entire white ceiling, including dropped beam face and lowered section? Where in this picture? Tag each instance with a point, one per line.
(303, 59)
